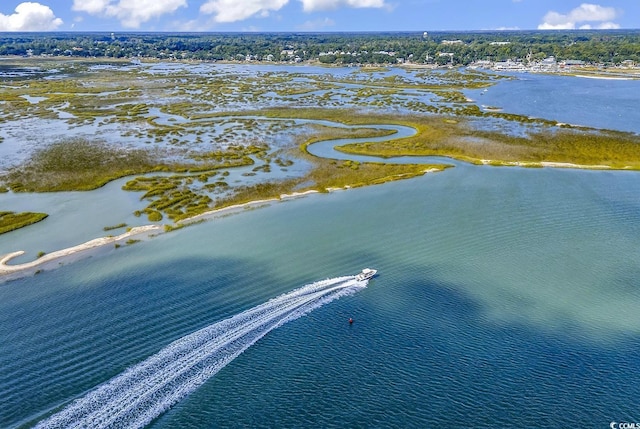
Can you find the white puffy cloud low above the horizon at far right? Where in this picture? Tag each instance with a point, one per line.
(586, 12)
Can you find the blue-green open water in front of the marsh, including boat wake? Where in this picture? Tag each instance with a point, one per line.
(506, 297)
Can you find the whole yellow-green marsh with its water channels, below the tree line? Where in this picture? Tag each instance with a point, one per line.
(190, 138)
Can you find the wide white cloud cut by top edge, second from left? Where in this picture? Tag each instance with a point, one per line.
(130, 13)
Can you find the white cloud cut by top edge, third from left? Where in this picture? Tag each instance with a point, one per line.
(238, 10)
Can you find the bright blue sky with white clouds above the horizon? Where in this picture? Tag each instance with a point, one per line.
(315, 15)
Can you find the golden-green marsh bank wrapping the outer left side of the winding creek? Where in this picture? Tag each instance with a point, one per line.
(179, 198)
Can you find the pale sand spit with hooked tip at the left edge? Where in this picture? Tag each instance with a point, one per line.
(8, 269)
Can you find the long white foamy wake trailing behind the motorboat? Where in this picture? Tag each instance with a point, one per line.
(143, 392)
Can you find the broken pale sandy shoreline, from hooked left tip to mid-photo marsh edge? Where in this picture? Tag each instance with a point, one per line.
(11, 272)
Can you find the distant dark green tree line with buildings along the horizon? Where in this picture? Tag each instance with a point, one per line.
(463, 48)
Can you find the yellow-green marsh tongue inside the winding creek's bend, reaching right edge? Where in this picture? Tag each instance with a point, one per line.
(456, 139)
